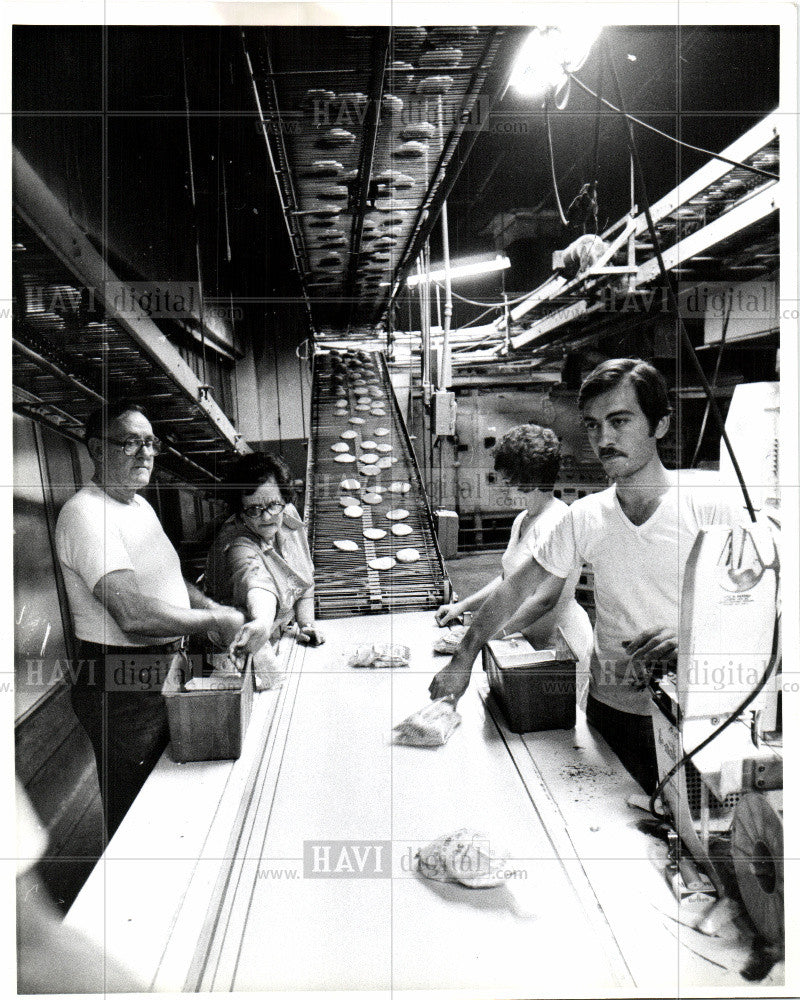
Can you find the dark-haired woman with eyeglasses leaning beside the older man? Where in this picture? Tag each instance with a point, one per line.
(260, 560)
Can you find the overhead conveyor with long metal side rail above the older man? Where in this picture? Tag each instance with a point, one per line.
(74, 347)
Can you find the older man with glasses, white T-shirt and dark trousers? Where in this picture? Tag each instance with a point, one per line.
(129, 602)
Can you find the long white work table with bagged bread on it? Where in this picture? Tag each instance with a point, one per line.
(203, 887)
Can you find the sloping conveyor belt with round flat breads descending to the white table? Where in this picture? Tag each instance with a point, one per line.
(345, 582)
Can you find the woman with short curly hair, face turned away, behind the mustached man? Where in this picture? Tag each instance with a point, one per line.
(528, 458)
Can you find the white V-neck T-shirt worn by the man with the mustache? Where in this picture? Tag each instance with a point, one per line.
(638, 573)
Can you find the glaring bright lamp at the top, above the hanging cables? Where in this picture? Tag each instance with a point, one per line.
(547, 54)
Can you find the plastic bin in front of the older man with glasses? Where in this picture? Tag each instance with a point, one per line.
(207, 724)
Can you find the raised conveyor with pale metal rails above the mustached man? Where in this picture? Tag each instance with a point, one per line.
(718, 225)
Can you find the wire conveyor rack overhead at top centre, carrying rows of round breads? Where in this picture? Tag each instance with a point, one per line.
(356, 154)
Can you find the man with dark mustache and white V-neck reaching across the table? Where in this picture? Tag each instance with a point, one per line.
(636, 536)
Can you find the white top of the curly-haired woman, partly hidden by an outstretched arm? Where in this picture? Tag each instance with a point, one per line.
(567, 614)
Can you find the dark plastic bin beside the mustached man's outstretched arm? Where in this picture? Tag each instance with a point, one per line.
(535, 689)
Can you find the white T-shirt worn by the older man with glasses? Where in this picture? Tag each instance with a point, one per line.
(96, 535)
